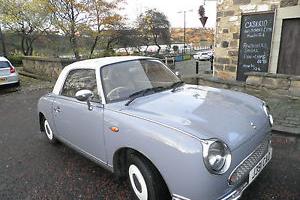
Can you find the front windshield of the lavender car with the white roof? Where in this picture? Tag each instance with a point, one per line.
(122, 80)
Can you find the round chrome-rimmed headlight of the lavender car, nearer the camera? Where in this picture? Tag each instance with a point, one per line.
(216, 156)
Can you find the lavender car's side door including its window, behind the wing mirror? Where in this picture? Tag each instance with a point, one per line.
(74, 122)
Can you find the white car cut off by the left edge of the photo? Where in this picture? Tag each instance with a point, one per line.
(8, 73)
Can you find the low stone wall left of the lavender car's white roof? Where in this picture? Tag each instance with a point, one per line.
(45, 68)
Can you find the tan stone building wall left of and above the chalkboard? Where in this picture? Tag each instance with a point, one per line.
(228, 30)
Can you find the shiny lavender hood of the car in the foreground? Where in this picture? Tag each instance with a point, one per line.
(204, 112)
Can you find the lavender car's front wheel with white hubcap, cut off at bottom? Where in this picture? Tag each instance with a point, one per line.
(145, 181)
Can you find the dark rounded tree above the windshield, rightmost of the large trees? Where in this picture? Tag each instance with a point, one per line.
(155, 25)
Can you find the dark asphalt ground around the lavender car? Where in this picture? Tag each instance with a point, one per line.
(31, 168)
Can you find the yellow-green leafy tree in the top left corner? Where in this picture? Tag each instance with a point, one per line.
(28, 18)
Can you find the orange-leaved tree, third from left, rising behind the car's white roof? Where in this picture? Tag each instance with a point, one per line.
(102, 17)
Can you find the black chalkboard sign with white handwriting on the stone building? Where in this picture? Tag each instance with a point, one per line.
(255, 43)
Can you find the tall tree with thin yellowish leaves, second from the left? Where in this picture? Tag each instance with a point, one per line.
(70, 18)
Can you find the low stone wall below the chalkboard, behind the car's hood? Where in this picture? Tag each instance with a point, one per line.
(281, 92)
